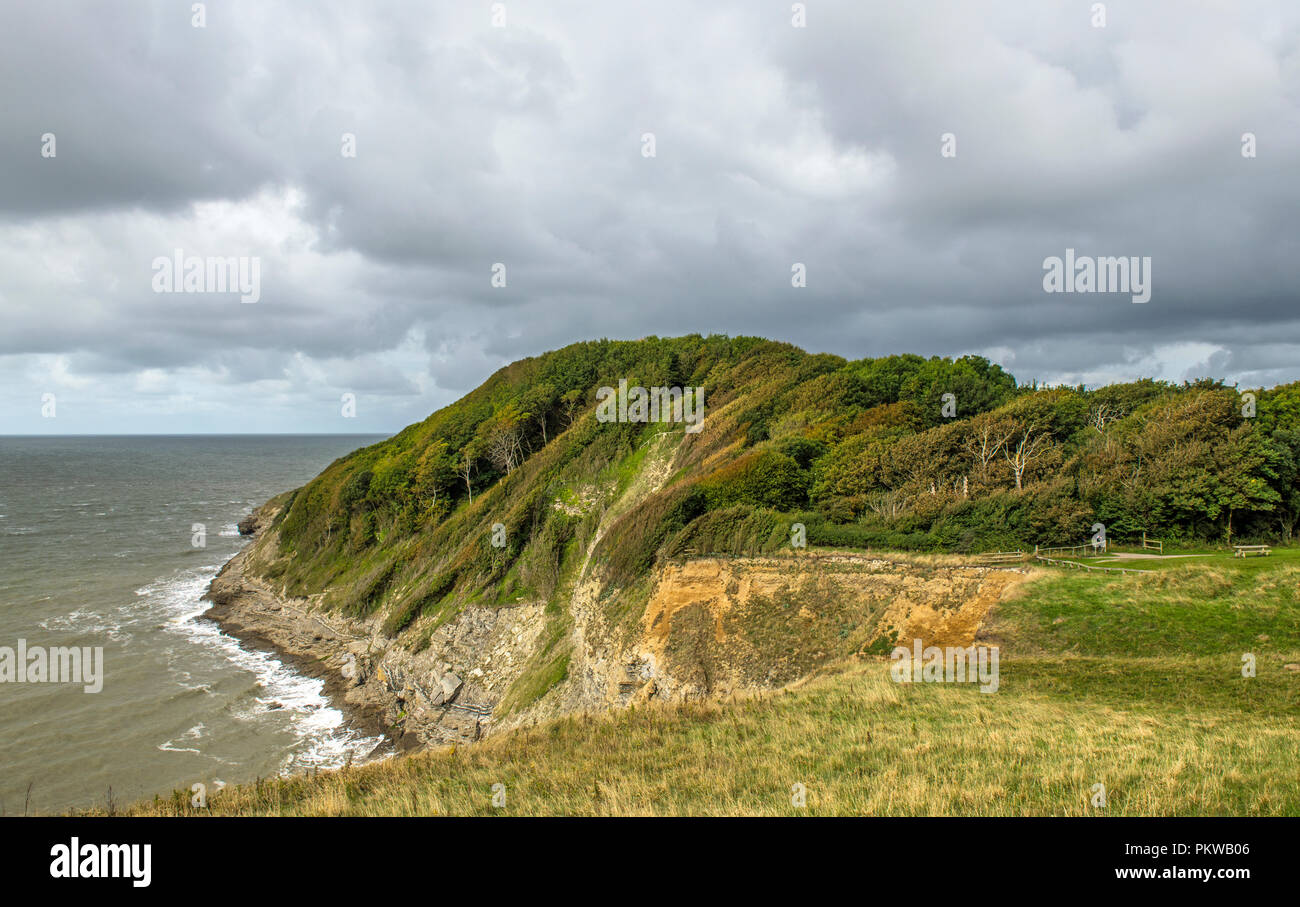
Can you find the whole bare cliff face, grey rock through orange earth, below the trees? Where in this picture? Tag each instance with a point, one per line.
(699, 628)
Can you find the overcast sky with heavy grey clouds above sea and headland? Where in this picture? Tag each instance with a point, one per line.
(525, 145)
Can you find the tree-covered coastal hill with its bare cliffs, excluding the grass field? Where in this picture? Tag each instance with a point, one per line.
(571, 537)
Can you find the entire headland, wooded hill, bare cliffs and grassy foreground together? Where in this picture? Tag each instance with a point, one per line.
(519, 552)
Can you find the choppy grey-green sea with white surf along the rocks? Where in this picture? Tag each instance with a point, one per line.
(97, 550)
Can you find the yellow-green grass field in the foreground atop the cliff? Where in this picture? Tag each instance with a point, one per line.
(1133, 683)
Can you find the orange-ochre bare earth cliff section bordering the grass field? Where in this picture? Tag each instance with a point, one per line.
(716, 626)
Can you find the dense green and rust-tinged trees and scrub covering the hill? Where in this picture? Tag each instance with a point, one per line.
(898, 453)
